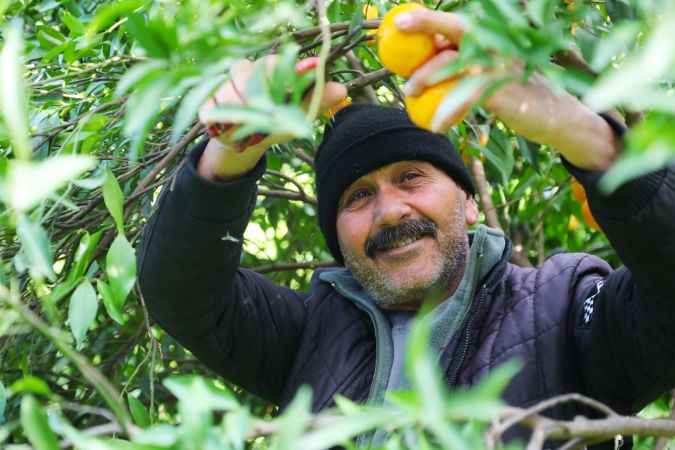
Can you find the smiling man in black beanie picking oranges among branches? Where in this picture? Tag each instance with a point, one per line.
(394, 205)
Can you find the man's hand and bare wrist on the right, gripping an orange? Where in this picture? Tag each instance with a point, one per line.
(531, 109)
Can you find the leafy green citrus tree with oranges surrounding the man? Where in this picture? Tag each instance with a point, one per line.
(99, 105)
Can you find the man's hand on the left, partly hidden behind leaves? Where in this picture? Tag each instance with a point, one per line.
(225, 159)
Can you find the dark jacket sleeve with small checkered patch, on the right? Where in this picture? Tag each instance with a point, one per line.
(624, 323)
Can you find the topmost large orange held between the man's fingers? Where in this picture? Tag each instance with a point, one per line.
(402, 53)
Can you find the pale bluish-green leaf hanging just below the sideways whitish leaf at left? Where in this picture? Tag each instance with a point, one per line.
(35, 248)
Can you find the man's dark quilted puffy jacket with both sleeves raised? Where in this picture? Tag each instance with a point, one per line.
(574, 323)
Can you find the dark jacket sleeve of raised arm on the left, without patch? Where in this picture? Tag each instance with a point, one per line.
(237, 322)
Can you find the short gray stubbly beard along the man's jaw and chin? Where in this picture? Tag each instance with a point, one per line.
(385, 292)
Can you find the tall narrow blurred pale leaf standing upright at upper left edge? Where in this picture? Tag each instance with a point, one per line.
(13, 92)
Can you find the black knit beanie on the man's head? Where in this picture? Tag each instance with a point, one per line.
(364, 137)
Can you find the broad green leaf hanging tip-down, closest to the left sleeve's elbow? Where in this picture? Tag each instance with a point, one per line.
(121, 270)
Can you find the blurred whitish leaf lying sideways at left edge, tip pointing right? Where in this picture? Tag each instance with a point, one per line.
(28, 183)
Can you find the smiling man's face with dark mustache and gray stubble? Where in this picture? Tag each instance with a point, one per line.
(402, 232)
